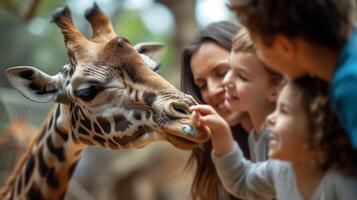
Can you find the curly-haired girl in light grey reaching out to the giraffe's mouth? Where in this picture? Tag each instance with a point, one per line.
(316, 156)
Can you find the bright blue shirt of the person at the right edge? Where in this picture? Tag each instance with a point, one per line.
(343, 88)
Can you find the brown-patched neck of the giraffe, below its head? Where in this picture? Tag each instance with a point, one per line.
(51, 162)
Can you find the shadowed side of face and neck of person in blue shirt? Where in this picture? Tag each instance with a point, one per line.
(279, 56)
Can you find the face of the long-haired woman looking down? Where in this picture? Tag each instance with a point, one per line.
(209, 66)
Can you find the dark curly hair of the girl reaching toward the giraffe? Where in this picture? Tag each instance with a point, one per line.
(328, 138)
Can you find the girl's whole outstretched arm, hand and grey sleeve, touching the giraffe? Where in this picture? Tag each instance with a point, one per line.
(239, 176)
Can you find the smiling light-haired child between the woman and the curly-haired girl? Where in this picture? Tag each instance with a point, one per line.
(251, 87)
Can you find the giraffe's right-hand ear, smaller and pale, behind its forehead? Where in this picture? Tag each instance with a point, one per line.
(151, 53)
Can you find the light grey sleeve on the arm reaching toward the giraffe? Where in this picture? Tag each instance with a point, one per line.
(245, 179)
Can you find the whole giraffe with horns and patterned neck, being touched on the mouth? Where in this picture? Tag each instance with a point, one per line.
(106, 96)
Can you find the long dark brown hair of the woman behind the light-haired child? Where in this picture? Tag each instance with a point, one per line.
(206, 184)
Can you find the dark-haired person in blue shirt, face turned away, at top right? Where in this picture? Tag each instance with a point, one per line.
(309, 37)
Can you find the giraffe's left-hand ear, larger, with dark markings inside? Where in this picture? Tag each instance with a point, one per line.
(33, 83)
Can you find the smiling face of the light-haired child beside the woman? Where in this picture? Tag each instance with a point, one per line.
(247, 84)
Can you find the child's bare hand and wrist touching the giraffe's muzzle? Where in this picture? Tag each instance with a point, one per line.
(221, 136)
